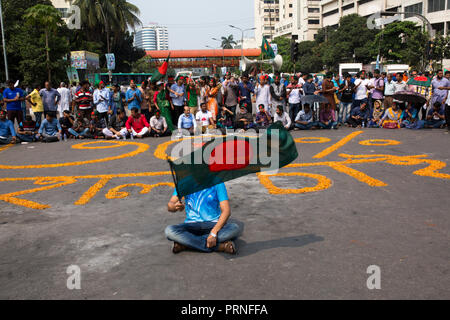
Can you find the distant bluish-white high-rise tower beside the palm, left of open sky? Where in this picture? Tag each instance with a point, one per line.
(152, 37)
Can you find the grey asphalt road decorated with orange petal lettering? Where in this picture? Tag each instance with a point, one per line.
(313, 245)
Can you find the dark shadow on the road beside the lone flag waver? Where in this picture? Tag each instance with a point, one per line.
(247, 249)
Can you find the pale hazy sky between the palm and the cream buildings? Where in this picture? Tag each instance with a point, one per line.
(192, 24)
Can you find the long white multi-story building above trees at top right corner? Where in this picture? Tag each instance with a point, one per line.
(436, 11)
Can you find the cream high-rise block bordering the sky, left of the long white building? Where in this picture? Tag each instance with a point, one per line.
(299, 19)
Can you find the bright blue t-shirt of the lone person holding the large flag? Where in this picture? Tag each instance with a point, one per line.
(204, 206)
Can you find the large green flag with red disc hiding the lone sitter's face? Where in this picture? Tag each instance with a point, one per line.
(227, 158)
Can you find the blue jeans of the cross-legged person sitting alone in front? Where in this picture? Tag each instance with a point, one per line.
(194, 235)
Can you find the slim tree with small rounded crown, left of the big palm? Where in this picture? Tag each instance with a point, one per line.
(48, 17)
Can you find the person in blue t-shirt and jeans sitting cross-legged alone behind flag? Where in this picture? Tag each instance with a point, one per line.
(206, 227)
